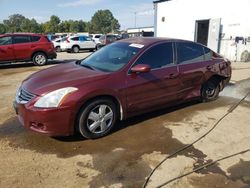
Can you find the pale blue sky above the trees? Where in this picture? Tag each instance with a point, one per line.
(41, 10)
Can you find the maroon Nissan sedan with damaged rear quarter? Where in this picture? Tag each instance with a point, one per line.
(123, 79)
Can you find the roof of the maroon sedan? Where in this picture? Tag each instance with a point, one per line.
(149, 40)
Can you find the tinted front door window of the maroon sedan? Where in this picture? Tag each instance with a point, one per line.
(158, 56)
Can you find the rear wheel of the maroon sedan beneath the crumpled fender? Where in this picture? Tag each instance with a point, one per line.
(210, 91)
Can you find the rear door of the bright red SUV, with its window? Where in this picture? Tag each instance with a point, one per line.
(22, 47)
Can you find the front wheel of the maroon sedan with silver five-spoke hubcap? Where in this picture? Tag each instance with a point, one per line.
(97, 118)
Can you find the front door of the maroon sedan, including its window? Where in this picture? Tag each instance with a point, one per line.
(158, 87)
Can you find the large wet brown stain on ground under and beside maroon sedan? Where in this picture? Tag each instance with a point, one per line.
(135, 137)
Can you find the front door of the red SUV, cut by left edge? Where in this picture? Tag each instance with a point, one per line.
(6, 49)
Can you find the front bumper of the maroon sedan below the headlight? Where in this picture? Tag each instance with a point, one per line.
(52, 122)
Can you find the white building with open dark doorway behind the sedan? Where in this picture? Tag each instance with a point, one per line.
(222, 25)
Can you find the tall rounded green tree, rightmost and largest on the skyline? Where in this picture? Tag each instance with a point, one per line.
(103, 21)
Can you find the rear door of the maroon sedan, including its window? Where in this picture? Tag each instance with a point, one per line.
(190, 59)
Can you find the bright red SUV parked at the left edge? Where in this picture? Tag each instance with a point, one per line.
(26, 47)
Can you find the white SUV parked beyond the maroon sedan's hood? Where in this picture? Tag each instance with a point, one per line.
(77, 43)
